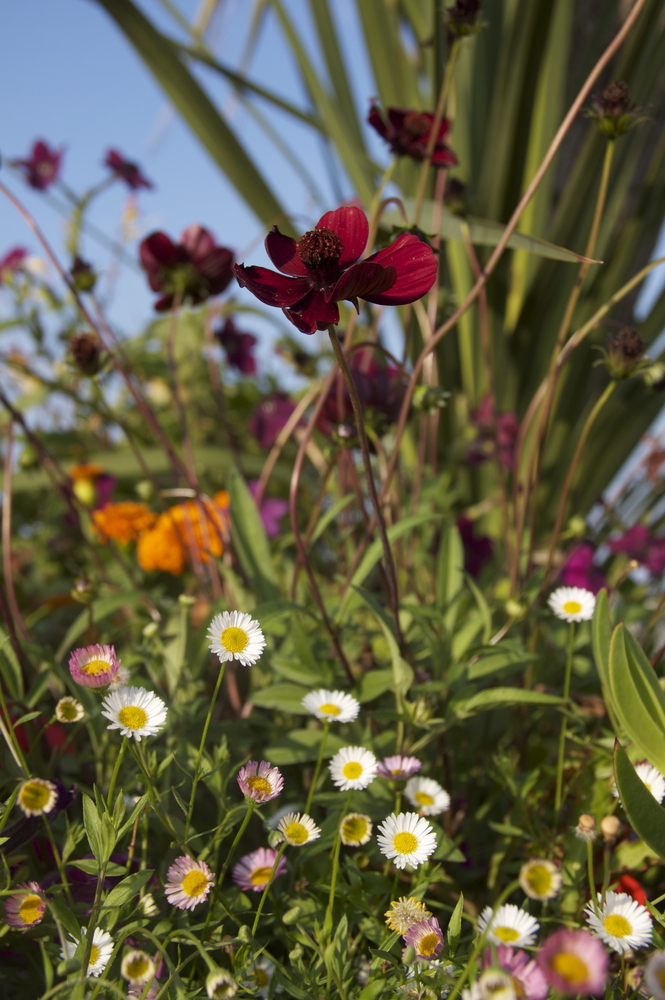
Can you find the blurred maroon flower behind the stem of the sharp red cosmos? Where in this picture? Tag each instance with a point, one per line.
(380, 388)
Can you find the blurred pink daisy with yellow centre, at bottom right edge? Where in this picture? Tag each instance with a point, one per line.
(574, 962)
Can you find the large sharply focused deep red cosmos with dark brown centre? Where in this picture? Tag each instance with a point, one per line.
(323, 268)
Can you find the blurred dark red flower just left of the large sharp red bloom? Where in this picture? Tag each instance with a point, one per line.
(193, 268)
